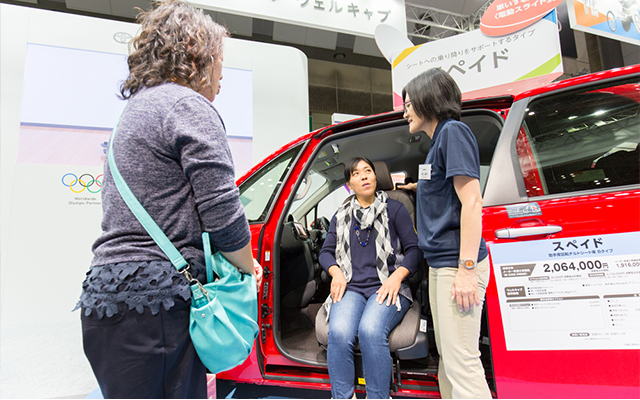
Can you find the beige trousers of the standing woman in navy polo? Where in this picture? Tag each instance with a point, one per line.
(460, 372)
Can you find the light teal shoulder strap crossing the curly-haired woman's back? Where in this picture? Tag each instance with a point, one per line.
(141, 214)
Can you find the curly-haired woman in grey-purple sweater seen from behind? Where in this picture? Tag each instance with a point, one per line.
(172, 151)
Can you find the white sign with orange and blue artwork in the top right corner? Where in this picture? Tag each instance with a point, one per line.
(619, 20)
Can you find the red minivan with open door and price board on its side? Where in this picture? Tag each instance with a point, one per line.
(561, 187)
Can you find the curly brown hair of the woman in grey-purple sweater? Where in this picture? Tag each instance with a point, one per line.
(176, 43)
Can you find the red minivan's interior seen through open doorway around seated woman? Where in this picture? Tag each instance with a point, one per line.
(302, 285)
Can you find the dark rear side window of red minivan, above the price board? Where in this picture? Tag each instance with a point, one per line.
(582, 140)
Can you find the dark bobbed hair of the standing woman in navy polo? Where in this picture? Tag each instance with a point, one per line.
(434, 95)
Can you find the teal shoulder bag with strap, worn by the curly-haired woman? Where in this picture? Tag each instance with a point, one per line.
(224, 312)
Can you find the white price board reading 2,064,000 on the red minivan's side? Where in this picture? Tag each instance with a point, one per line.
(577, 293)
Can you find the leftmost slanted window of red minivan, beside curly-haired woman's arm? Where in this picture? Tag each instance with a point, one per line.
(258, 192)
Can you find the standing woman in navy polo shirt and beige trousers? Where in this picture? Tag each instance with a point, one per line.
(449, 222)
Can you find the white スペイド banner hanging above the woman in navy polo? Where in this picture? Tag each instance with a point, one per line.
(477, 61)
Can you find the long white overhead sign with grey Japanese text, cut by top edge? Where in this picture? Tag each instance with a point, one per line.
(356, 17)
